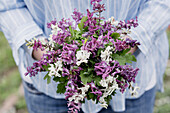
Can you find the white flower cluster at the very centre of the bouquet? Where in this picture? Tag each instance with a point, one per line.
(82, 56)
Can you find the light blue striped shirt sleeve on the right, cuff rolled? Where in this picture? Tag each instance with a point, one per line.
(153, 19)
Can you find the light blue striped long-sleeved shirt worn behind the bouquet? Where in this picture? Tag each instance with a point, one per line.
(22, 20)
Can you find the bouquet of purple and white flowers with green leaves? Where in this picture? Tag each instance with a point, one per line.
(88, 57)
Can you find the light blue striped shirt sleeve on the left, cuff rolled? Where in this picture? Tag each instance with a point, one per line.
(17, 24)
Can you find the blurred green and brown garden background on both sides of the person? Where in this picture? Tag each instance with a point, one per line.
(11, 92)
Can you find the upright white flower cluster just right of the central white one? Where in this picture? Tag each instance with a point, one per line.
(105, 55)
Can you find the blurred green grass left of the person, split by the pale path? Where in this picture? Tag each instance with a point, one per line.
(10, 79)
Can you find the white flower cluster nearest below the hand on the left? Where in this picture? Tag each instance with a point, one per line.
(55, 68)
